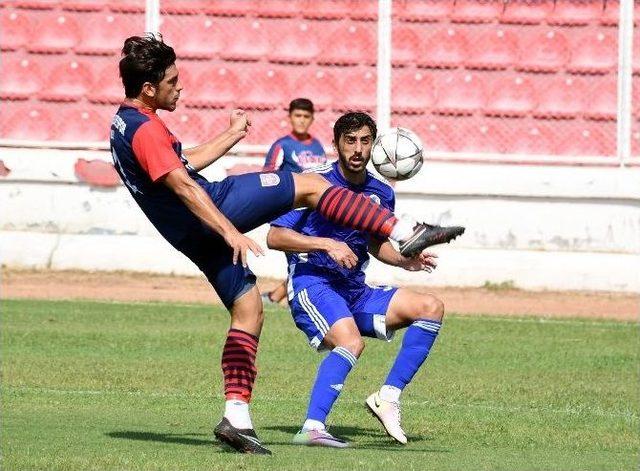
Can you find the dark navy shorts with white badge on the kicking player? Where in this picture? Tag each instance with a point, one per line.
(248, 201)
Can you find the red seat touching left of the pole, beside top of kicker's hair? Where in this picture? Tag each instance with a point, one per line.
(104, 33)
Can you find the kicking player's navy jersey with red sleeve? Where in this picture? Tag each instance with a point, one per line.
(143, 152)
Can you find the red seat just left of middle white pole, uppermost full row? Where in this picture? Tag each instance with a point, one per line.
(348, 44)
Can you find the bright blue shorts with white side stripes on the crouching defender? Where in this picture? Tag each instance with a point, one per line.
(316, 308)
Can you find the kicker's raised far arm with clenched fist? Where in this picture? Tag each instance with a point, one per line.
(205, 154)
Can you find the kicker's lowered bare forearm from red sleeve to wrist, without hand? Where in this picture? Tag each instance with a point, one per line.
(198, 201)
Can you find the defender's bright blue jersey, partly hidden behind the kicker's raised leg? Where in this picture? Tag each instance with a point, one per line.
(306, 269)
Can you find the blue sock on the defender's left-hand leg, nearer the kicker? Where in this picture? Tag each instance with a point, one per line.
(332, 373)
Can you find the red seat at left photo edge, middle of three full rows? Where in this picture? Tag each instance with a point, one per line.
(21, 78)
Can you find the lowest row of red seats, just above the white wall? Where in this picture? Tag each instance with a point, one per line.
(77, 123)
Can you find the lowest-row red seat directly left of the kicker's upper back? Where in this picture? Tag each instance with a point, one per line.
(84, 124)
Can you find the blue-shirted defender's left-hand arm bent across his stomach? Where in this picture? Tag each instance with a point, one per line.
(288, 240)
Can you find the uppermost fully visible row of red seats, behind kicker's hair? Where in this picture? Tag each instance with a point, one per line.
(197, 37)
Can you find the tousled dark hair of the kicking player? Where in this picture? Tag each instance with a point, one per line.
(144, 59)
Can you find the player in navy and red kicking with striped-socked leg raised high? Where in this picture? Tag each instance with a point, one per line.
(206, 220)
